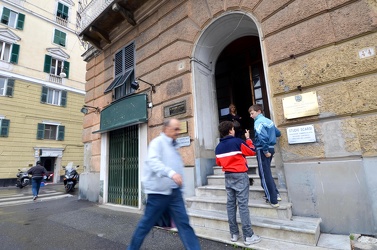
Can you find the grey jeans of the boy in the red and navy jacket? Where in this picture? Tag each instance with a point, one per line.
(237, 189)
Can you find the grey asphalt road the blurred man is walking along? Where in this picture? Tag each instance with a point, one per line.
(69, 223)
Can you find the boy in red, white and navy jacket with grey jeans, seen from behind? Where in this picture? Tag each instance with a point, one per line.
(230, 155)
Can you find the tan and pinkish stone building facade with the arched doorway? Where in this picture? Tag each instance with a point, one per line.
(201, 55)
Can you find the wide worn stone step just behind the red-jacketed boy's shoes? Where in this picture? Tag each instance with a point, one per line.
(299, 230)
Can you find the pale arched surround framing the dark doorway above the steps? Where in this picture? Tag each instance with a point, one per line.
(214, 39)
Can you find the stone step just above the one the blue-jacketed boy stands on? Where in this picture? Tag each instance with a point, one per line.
(255, 192)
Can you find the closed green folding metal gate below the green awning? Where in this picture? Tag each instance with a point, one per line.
(123, 167)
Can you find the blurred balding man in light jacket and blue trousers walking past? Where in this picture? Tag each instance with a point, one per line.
(162, 180)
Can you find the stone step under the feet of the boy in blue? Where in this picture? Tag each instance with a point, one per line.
(256, 207)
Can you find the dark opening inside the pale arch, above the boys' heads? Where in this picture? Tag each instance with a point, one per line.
(240, 80)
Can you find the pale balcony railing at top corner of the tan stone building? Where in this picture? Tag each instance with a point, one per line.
(91, 11)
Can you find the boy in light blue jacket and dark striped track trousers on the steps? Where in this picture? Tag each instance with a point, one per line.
(265, 138)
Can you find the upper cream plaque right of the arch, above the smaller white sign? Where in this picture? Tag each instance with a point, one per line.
(301, 105)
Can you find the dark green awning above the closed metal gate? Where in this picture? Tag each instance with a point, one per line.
(125, 112)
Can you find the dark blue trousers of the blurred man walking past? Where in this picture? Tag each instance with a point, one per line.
(156, 205)
